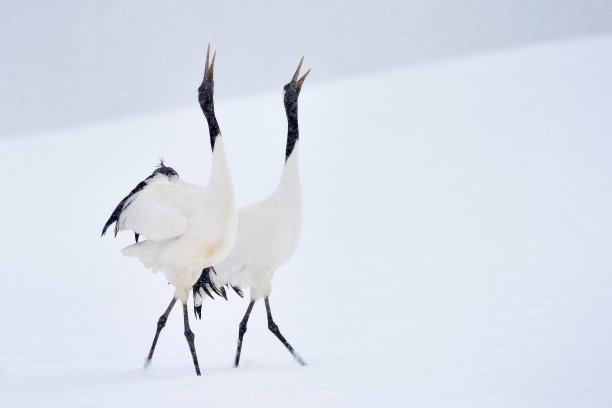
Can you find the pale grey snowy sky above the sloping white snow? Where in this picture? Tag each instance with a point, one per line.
(70, 62)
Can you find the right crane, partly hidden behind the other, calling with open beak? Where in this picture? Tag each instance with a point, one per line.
(268, 233)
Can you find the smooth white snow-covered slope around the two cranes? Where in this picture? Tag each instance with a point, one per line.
(456, 248)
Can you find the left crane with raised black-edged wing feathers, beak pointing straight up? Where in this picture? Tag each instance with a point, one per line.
(187, 227)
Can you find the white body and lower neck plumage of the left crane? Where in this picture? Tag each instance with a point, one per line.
(187, 227)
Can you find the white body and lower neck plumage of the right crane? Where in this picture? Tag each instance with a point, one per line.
(267, 236)
